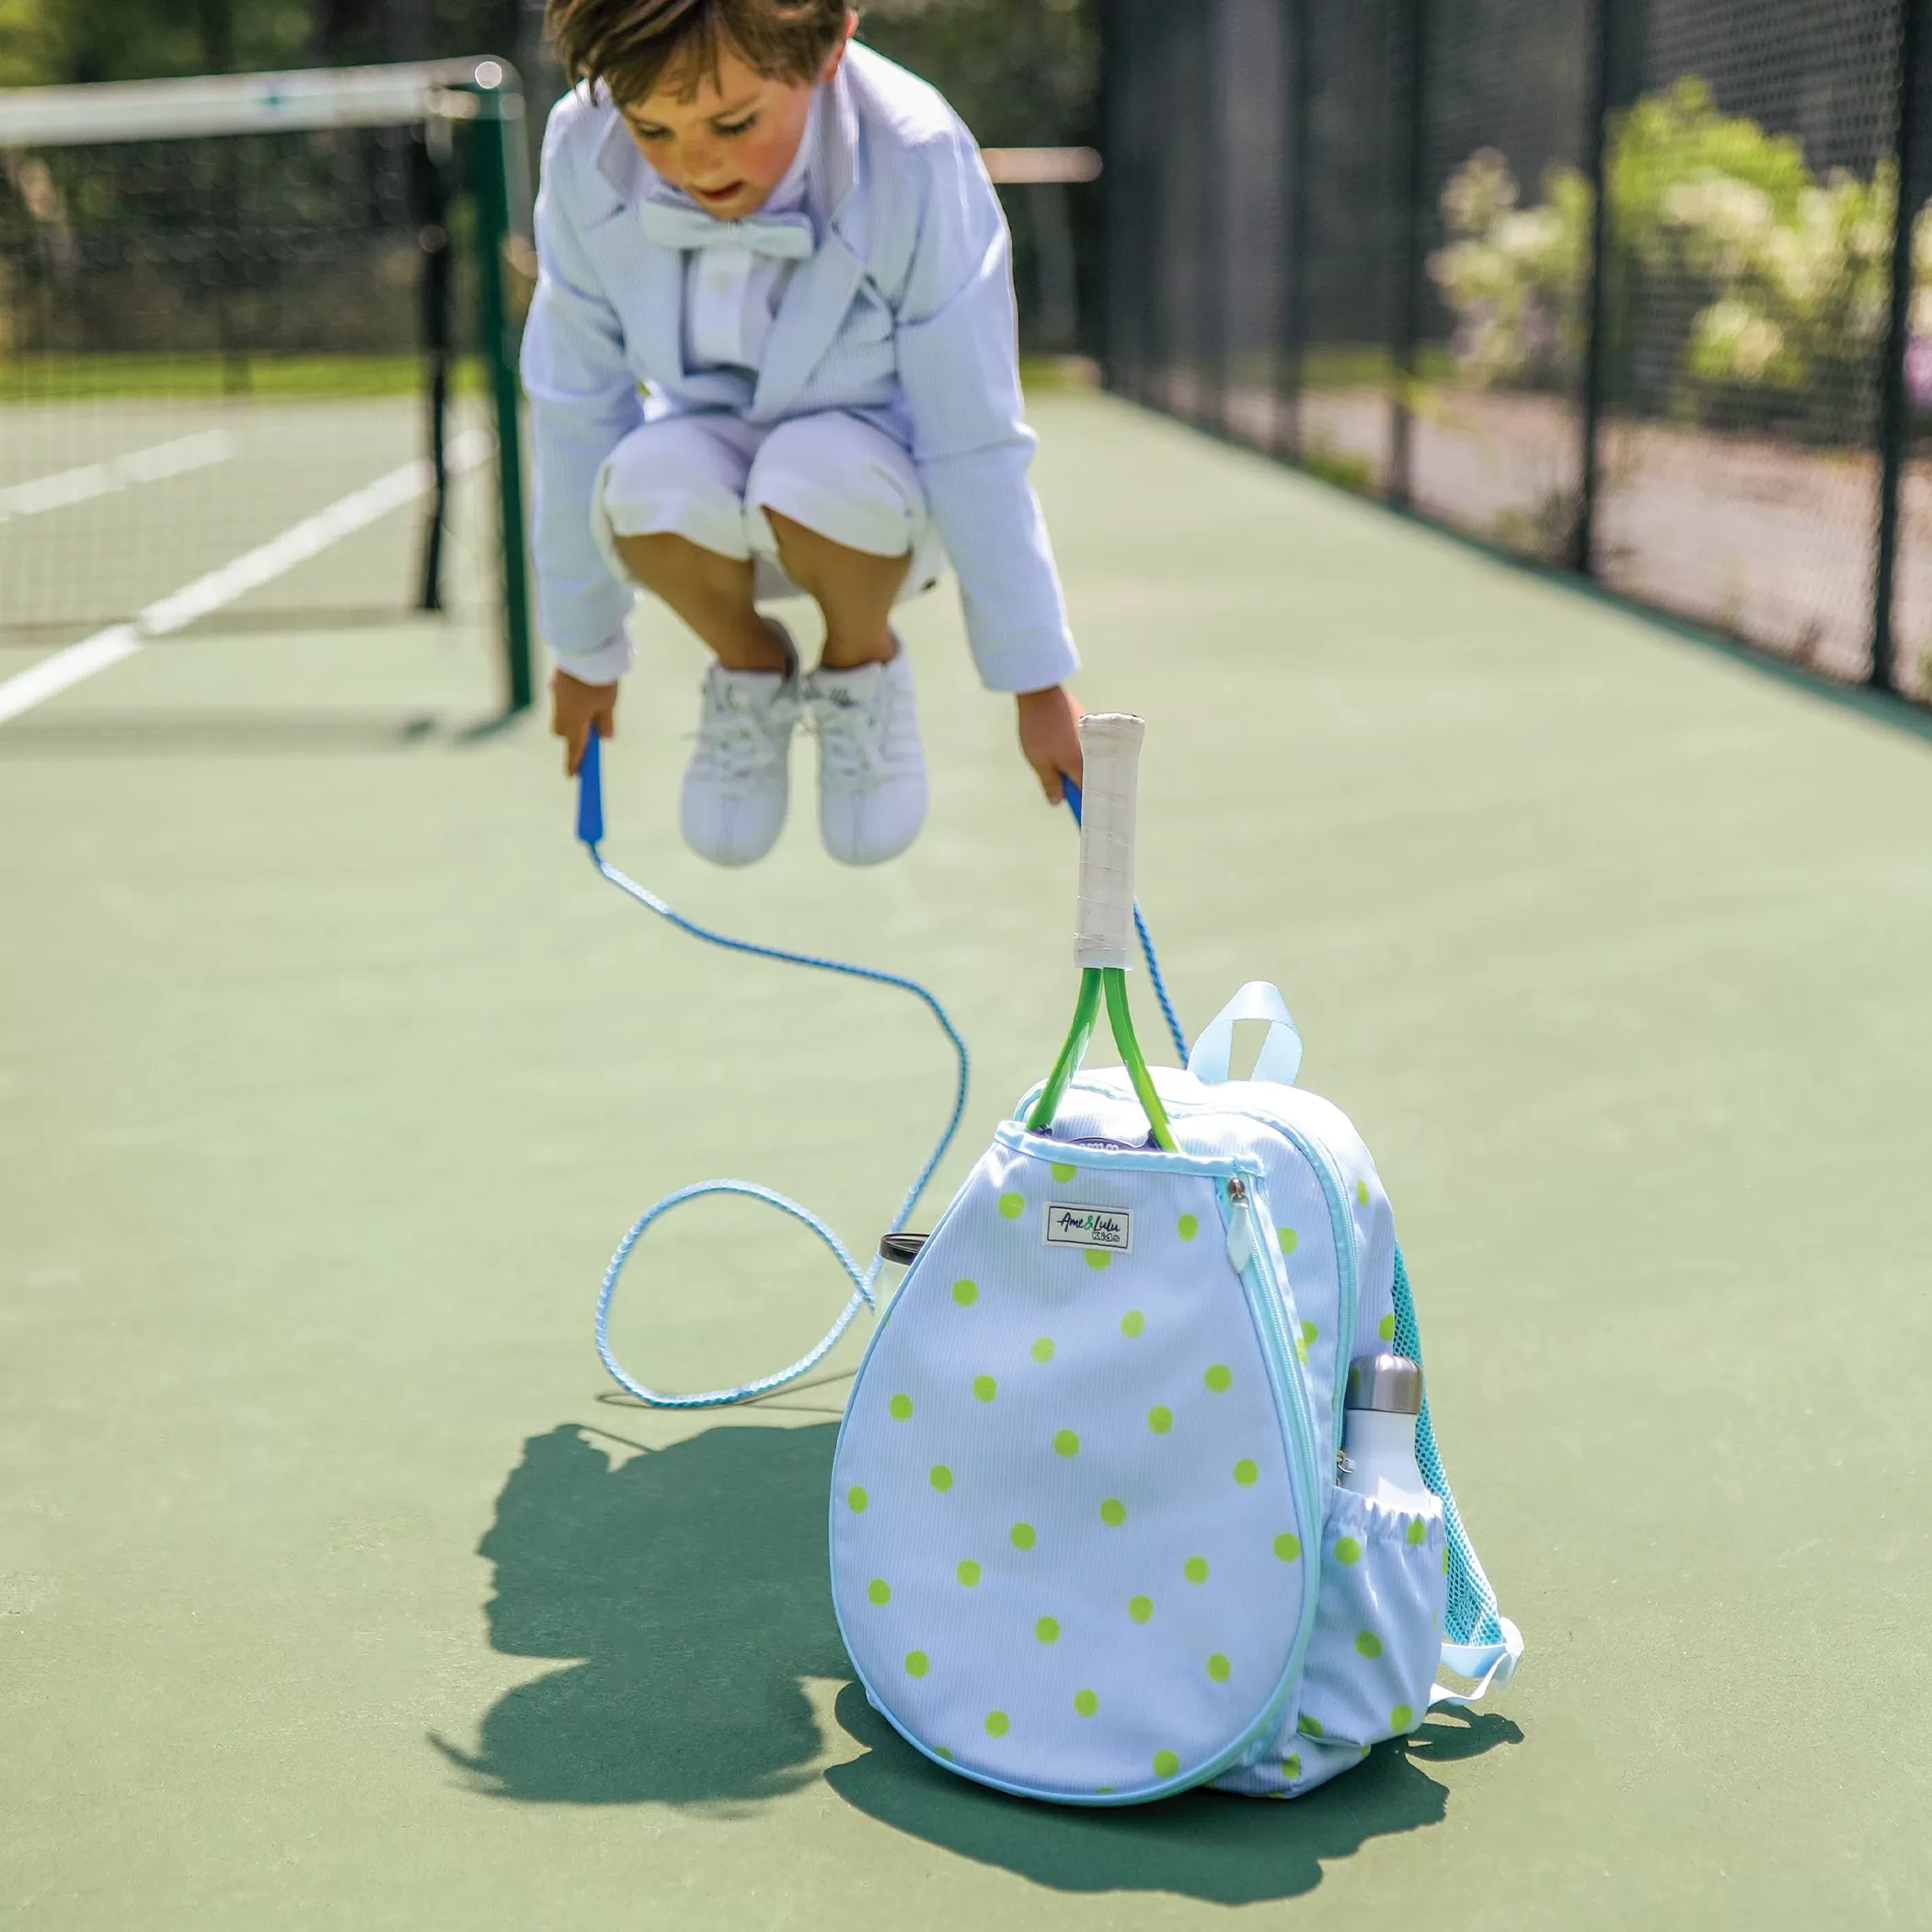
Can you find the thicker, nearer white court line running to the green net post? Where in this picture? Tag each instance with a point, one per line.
(248, 573)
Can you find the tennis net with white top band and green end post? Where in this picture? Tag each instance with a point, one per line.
(256, 343)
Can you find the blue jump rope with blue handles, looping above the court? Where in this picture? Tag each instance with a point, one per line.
(590, 830)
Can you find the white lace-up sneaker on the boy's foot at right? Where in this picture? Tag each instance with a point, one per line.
(872, 772)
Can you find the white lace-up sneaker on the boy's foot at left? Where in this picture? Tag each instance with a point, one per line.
(737, 787)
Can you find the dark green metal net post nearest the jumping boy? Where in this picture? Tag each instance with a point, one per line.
(501, 111)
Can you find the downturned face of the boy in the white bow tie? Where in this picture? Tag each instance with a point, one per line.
(729, 144)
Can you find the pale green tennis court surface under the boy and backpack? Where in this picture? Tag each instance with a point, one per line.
(337, 1591)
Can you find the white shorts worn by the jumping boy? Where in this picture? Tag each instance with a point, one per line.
(712, 480)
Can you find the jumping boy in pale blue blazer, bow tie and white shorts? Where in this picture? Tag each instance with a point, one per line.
(791, 248)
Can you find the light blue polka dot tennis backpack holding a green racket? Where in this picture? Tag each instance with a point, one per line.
(1087, 1533)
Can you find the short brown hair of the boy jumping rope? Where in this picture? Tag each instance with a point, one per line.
(633, 45)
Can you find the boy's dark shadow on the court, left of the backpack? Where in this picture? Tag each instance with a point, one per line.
(691, 1583)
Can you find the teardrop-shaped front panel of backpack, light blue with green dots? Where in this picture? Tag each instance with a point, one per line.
(1069, 1601)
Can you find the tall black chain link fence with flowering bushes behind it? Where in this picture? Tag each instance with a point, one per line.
(1639, 289)
